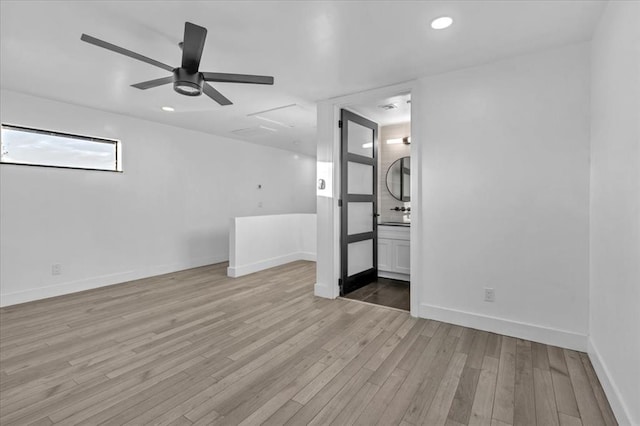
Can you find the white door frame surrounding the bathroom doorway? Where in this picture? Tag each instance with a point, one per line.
(328, 170)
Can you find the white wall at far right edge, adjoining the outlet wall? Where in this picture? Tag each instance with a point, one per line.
(614, 325)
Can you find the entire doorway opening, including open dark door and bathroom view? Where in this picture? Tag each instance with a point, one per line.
(382, 263)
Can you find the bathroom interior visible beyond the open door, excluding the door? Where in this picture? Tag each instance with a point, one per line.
(393, 116)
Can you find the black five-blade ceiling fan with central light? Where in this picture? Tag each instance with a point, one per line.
(187, 79)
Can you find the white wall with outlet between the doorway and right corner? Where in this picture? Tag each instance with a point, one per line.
(504, 195)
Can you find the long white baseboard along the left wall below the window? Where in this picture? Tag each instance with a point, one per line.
(75, 286)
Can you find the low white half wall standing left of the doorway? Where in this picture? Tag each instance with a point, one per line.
(261, 242)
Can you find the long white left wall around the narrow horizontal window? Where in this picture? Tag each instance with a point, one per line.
(168, 211)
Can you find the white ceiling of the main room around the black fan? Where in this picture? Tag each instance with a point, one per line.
(315, 50)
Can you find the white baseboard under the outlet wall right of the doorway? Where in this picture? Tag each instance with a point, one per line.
(536, 333)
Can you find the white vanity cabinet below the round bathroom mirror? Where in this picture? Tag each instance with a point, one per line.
(394, 252)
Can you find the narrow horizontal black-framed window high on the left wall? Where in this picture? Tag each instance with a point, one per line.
(34, 147)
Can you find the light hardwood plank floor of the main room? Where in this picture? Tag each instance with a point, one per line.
(196, 347)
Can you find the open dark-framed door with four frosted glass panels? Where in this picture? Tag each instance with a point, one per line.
(358, 201)
